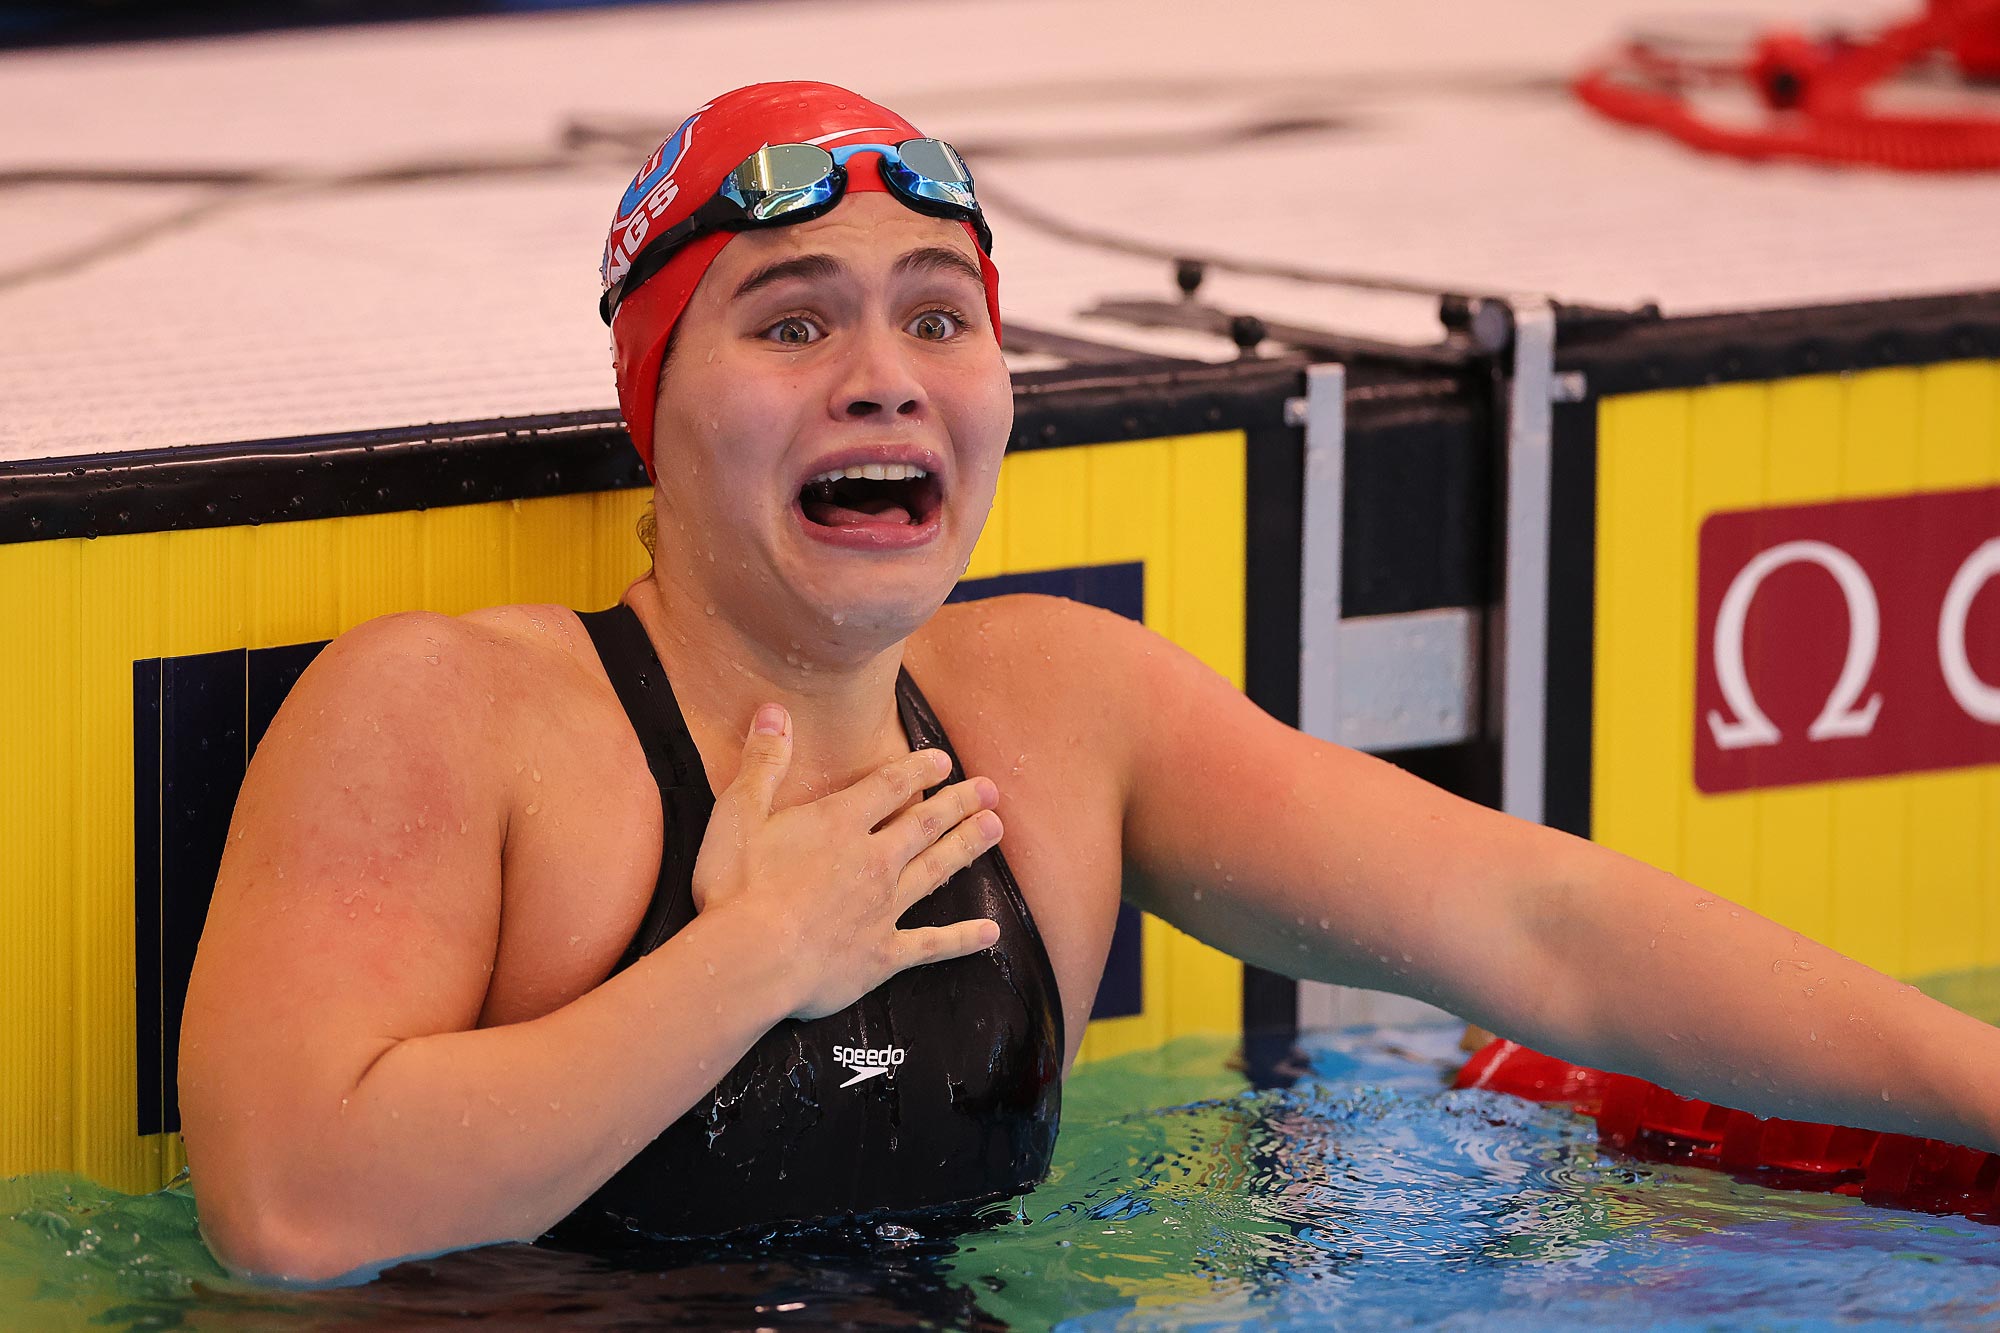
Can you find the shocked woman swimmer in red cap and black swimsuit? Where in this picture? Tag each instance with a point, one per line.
(635, 922)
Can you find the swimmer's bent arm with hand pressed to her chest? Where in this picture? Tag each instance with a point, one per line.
(339, 1108)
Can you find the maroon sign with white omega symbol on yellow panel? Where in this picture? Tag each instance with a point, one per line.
(1849, 639)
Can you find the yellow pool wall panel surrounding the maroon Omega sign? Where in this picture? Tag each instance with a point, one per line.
(1897, 872)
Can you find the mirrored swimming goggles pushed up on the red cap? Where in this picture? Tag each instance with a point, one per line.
(793, 183)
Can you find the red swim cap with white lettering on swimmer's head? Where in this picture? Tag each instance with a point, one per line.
(685, 173)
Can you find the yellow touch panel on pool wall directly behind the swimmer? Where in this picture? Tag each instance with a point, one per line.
(87, 609)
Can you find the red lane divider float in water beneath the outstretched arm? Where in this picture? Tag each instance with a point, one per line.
(1645, 1120)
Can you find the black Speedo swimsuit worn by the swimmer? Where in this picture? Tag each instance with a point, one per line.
(941, 1086)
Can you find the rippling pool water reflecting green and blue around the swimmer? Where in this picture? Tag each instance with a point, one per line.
(1183, 1198)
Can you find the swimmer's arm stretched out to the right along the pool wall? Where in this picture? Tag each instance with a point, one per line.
(1327, 864)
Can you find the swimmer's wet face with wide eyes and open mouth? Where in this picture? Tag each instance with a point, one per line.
(831, 425)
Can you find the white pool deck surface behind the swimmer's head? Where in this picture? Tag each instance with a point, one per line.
(143, 315)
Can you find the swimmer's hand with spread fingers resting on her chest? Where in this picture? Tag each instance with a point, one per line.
(829, 880)
